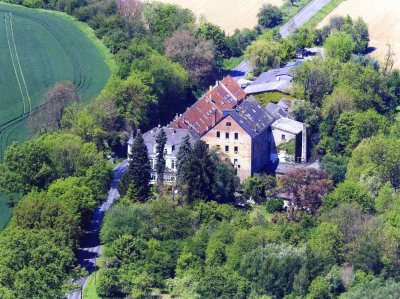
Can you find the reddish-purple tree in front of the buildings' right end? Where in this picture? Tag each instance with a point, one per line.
(306, 187)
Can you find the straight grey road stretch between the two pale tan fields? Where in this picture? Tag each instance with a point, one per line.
(302, 17)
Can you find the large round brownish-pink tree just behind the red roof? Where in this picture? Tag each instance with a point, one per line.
(195, 54)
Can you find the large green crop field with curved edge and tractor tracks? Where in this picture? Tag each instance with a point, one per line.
(38, 49)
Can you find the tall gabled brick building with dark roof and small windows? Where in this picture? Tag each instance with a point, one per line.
(243, 135)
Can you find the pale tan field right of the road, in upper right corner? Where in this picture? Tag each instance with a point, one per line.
(382, 20)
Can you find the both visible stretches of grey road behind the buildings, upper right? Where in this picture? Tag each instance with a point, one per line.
(297, 21)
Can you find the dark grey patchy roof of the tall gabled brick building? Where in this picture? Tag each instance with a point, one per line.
(251, 116)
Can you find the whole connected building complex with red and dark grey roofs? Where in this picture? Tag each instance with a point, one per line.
(239, 128)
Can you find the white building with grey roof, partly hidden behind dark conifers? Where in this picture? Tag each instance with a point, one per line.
(174, 140)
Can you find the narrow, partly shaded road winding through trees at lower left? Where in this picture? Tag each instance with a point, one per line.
(90, 245)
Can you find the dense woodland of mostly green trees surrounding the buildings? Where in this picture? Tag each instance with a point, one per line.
(339, 235)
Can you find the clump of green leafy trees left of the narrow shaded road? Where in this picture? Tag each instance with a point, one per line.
(61, 179)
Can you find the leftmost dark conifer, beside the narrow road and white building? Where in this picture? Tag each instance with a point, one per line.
(139, 169)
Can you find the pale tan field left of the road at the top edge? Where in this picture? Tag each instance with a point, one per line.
(228, 14)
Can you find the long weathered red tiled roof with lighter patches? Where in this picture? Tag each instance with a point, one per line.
(207, 111)
